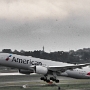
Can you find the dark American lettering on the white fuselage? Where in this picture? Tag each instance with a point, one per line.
(25, 61)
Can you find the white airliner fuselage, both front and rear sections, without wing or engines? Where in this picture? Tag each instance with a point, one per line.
(26, 62)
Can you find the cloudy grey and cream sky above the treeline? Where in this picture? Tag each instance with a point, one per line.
(58, 25)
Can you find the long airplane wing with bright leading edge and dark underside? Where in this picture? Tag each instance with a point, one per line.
(69, 67)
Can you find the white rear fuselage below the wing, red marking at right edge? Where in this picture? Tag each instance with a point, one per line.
(83, 73)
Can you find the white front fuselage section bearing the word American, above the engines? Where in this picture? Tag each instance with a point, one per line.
(25, 62)
